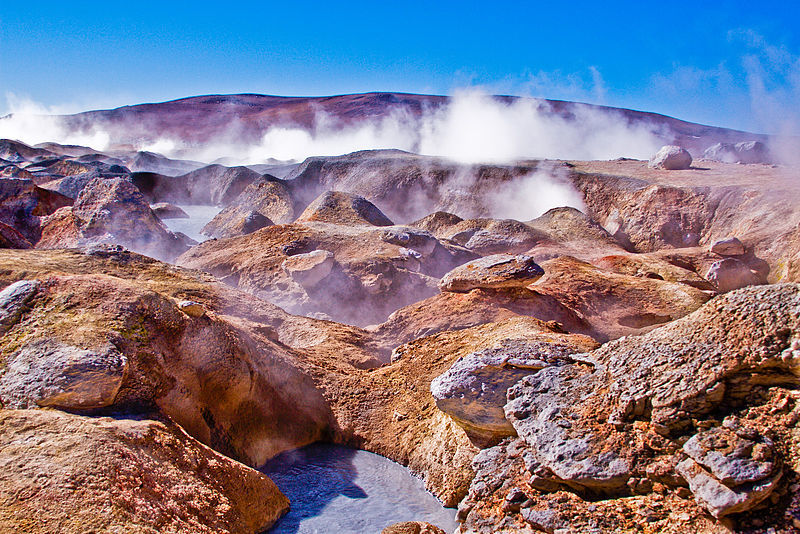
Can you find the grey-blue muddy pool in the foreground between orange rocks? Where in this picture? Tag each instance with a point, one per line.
(342, 490)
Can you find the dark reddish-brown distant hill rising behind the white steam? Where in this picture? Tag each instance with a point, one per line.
(247, 116)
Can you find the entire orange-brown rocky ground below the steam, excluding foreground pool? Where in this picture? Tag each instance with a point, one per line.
(629, 362)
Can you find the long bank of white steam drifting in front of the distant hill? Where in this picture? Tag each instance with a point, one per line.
(472, 128)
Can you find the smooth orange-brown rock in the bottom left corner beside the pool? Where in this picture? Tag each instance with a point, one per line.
(123, 474)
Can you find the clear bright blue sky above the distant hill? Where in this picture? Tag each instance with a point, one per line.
(700, 61)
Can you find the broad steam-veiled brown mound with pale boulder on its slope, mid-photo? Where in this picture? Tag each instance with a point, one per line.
(351, 273)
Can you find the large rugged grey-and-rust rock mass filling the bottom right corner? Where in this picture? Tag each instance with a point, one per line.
(641, 414)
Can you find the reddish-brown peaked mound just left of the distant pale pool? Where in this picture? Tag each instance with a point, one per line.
(111, 211)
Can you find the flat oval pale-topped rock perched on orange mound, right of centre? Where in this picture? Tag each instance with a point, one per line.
(499, 271)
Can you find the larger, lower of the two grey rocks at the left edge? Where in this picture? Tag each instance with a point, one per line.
(49, 373)
